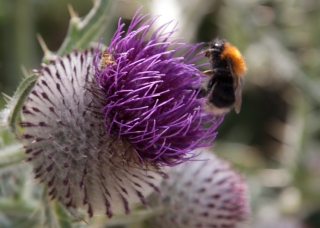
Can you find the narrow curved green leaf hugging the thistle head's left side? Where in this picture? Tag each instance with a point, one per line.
(15, 105)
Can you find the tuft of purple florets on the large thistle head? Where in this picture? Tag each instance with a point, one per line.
(150, 98)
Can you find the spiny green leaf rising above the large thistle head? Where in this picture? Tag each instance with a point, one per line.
(82, 32)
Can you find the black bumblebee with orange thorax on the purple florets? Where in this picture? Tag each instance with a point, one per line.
(224, 87)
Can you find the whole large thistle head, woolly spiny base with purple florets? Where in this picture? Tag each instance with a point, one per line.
(98, 135)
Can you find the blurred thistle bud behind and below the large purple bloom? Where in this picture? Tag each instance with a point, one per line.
(205, 193)
